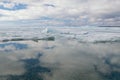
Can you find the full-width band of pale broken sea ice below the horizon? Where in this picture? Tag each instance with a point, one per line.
(82, 34)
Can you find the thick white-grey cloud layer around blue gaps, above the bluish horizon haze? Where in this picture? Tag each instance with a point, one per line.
(90, 11)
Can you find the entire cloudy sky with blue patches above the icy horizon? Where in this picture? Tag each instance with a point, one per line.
(59, 13)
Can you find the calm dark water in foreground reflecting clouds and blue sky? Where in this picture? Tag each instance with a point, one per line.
(60, 60)
